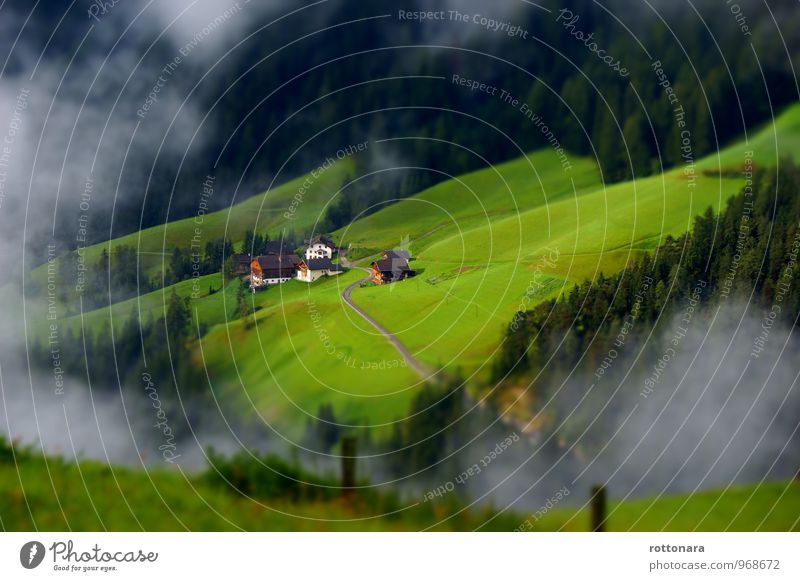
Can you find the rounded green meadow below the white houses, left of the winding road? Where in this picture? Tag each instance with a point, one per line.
(302, 348)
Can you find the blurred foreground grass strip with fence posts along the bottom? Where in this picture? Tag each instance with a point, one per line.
(51, 494)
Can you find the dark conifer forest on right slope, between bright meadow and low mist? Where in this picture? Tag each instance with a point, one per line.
(751, 247)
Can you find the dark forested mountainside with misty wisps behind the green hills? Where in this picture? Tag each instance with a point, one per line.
(283, 109)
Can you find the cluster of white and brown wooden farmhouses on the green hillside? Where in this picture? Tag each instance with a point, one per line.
(279, 264)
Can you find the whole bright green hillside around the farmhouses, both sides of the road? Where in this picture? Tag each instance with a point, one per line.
(486, 245)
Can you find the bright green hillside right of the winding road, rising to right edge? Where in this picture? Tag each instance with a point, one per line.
(477, 263)
